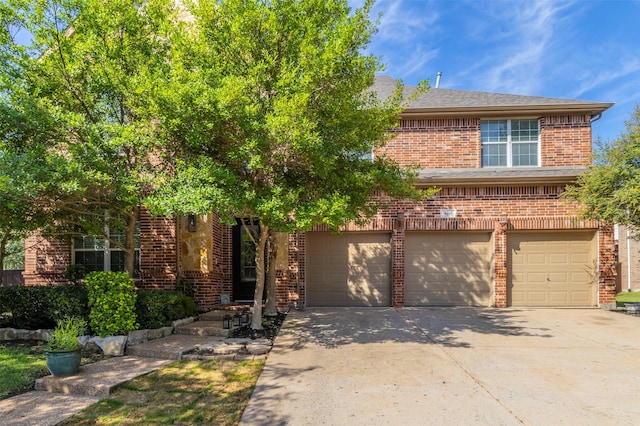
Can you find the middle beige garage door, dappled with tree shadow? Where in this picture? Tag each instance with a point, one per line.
(448, 268)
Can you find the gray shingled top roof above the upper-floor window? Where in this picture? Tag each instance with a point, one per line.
(449, 99)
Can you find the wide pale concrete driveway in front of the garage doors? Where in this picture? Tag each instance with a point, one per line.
(417, 366)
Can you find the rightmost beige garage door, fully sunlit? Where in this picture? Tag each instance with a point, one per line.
(551, 268)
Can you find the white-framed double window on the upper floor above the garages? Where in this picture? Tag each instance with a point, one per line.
(510, 143)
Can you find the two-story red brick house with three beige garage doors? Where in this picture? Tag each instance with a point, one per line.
(497, 234)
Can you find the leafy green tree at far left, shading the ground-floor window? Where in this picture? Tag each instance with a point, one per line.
(80, 88)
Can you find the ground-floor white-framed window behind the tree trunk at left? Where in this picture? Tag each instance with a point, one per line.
(96, 254)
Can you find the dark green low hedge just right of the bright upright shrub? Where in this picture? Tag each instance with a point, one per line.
(158, 308)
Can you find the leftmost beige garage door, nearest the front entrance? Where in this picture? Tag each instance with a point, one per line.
(351, 269)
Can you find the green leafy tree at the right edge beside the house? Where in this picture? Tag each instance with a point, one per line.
(610, 189)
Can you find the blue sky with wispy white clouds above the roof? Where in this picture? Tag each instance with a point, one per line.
(580, 49)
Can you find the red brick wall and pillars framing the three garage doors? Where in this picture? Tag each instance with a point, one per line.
(494, 209)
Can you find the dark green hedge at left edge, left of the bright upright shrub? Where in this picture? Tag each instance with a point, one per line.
(41, 306)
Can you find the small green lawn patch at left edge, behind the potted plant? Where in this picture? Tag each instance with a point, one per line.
(19, 367)
